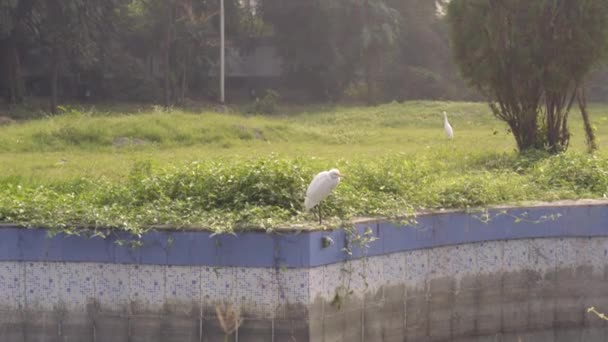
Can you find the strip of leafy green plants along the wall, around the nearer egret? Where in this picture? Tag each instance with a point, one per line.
(268, 193)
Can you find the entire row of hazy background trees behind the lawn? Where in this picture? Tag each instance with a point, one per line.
(166, 51)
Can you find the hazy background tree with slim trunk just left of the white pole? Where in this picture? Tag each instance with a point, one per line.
(189, 36)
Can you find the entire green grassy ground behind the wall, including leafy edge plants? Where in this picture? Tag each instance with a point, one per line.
(130, 167)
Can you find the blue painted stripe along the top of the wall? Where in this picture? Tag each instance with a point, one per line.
(305, 249)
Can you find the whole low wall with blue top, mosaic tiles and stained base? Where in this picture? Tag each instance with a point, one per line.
(517, 289)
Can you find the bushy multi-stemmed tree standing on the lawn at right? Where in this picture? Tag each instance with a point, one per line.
(529, 59)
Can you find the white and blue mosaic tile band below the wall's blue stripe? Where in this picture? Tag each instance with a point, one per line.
(43, 286)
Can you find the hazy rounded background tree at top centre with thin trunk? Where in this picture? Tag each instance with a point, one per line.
(326, 45)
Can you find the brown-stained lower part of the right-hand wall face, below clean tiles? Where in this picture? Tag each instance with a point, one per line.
(515, 306)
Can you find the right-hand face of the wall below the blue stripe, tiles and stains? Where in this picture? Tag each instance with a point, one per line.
(519, 290)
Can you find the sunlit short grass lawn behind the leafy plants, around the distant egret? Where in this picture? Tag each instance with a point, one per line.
(108, 143)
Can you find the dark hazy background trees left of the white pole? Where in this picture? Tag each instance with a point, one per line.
(114, 48)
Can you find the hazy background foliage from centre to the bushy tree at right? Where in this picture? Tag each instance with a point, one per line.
(373, 50)
